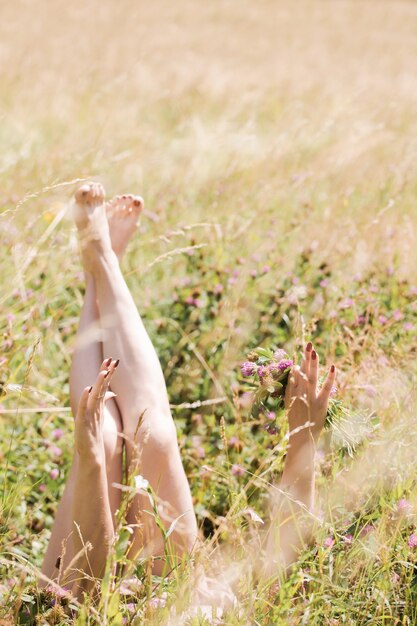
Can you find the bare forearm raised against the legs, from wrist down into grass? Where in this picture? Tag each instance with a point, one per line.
(93, 530)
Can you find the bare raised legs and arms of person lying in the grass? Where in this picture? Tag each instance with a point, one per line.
(108, 420)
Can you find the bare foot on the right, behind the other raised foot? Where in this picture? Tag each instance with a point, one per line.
(123, 213)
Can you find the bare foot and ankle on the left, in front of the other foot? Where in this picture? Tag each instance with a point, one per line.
(90, 217)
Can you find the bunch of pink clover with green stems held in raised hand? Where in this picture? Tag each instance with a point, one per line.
(268, 371)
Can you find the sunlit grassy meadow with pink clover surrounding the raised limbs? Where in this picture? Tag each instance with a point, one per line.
(274, 143)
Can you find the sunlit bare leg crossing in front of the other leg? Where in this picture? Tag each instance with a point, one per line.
(140, 388)
